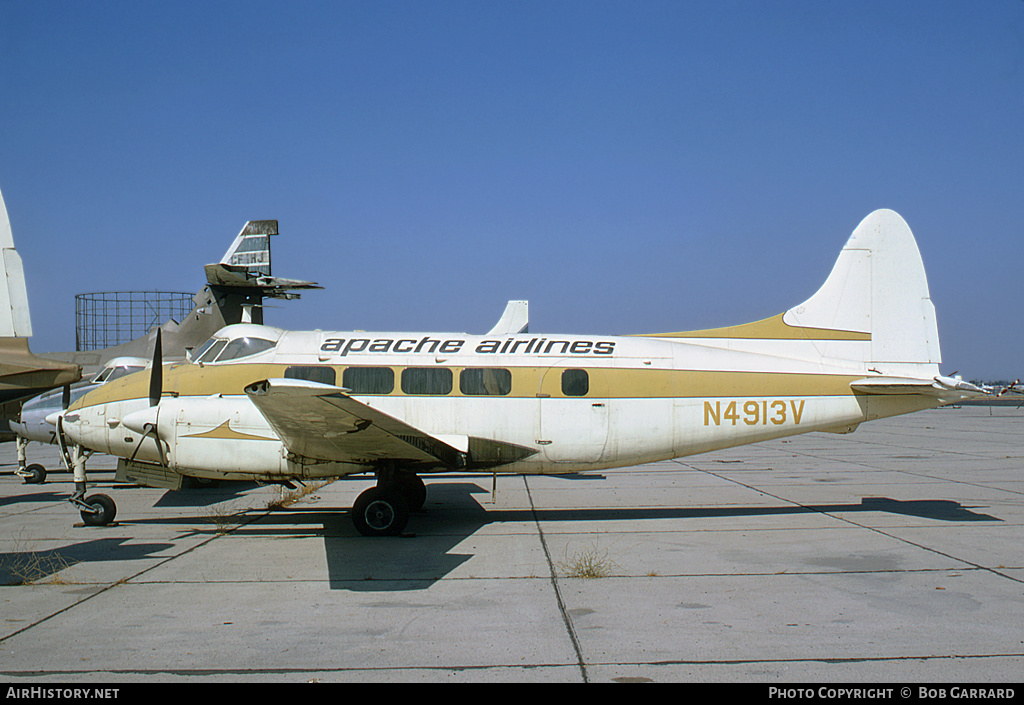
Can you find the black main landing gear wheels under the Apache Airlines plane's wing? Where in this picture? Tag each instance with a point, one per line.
(385, 510)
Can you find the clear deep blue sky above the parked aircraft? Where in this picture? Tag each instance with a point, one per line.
(628, 168)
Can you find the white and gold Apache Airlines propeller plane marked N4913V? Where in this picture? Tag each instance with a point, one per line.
(260, 403)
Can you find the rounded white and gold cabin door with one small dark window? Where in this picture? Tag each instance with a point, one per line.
(574, 414)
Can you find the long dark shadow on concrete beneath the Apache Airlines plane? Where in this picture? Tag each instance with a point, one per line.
(423, 556)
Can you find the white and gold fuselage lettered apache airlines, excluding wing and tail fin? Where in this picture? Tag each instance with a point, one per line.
(579, 403)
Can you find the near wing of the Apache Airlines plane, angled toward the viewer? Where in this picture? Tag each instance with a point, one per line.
(323, 423)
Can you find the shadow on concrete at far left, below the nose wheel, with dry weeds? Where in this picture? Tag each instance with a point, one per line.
(24, 567)
